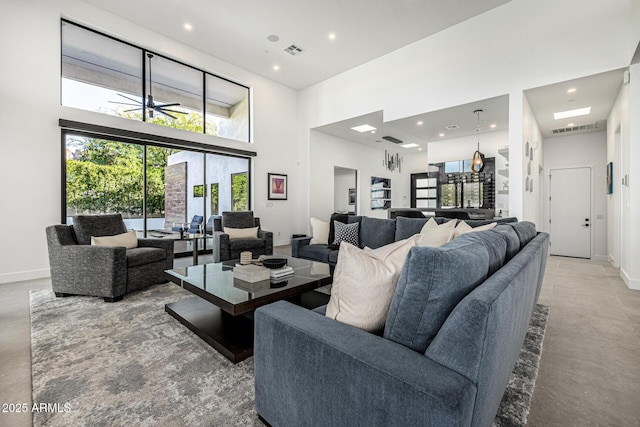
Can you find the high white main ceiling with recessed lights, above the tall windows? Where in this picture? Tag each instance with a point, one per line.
(237, 31)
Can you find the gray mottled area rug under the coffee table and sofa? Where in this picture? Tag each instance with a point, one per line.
(130, 363)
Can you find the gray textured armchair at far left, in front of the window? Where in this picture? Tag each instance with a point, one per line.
(78, 268)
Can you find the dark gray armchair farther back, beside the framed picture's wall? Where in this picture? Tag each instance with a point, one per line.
(225, 248)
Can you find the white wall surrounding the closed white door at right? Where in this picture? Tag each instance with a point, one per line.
(587, 150)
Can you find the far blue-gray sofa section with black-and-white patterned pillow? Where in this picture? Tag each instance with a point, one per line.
(373, 232)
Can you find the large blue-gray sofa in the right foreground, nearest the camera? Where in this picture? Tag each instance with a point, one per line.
(453, 333)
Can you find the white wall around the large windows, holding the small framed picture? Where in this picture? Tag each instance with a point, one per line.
(30, 109)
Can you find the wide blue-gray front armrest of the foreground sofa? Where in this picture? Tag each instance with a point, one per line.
(312, 370)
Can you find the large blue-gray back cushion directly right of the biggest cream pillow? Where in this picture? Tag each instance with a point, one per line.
(431, 284)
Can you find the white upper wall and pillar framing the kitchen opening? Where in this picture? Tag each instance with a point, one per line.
(517, 46)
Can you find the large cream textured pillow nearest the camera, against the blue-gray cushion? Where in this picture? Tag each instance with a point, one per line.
(364, 282)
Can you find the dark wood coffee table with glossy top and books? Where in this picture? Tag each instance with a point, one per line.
(222, 311)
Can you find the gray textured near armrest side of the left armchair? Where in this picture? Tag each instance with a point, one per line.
(89, 270)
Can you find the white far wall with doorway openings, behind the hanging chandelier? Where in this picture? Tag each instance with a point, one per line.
(328, 151)
